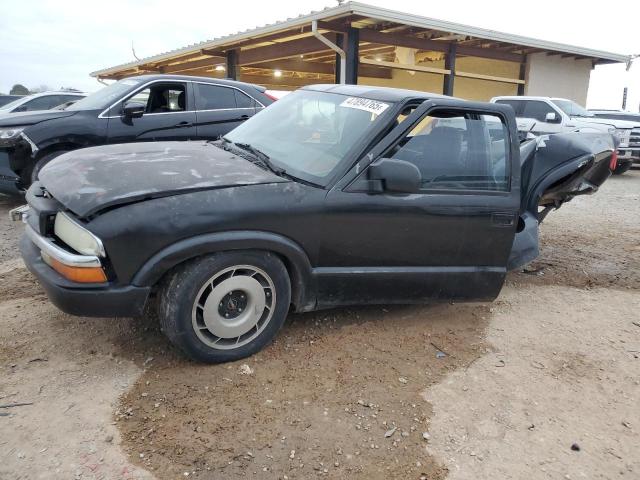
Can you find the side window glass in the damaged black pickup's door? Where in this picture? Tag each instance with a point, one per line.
(458, 151)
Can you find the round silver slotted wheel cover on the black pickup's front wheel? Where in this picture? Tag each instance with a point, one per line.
(233, 307)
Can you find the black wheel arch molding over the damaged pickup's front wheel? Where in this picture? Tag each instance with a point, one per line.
(303, 285)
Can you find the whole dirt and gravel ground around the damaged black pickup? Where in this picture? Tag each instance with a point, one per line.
(467, 391)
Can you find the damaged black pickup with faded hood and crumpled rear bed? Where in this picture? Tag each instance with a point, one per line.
(334, 195)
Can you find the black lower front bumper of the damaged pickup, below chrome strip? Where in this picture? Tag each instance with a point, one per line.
(89, 300)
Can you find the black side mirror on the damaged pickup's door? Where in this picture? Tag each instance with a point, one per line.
(391, 175)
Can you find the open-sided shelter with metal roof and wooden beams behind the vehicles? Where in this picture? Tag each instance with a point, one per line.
(359, 43)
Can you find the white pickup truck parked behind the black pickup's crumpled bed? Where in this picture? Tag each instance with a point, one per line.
(546, 115)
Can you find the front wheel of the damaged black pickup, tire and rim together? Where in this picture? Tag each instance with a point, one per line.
(183, 298)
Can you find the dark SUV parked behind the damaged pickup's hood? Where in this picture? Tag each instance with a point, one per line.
(144, 108)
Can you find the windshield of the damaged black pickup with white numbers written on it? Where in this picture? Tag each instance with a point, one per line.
(308, 133)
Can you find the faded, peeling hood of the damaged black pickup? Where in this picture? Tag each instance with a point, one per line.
(90, 180)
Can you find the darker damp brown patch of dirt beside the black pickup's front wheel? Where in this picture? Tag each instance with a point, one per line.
(319, 400)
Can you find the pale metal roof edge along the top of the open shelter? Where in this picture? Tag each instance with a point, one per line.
(377, 13)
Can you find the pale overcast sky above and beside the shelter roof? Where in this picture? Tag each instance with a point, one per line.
(58, 44)
